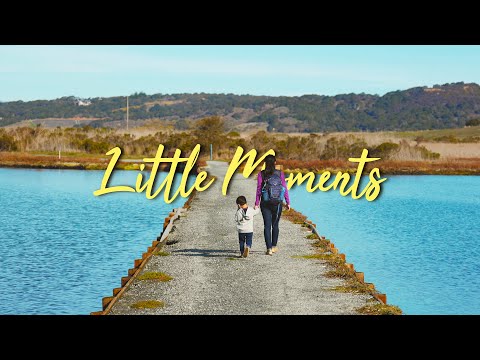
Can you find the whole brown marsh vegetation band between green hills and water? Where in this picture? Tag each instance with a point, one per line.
(85, 148)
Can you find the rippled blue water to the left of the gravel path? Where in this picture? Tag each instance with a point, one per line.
(63, 249)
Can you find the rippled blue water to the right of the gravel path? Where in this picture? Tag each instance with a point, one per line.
(419, 242)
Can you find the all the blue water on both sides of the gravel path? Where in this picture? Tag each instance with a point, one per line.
(62, 249)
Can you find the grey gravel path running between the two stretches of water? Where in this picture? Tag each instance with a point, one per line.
(210, 278)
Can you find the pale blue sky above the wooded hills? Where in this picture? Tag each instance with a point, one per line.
(49, 72)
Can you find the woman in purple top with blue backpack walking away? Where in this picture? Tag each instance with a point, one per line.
(271, 191)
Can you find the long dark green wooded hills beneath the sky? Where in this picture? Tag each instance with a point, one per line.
(421, 108)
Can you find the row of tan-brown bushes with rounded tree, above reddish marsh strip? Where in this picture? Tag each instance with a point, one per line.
(209, 130)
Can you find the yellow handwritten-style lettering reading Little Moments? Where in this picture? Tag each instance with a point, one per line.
(341, 180)
